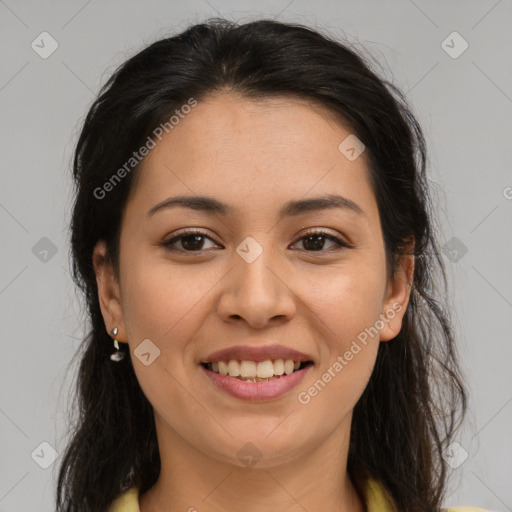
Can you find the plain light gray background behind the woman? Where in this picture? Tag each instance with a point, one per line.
(464, 105)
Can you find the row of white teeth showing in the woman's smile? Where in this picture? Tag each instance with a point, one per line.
(252, 369)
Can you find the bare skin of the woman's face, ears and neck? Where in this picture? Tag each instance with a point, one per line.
(254, 156)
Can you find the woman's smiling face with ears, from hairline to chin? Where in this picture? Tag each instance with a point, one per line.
(253, 278)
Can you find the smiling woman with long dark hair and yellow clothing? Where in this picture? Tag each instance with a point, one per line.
(252, 230)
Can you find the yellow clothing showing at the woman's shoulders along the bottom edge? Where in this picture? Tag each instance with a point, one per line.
(377, 500)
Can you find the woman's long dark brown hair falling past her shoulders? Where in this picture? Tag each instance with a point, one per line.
(416, 398)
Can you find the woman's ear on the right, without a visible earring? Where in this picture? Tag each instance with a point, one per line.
(397, 296)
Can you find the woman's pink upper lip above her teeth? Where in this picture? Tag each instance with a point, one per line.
(256, 353)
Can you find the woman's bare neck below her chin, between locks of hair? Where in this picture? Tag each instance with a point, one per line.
(191, 479)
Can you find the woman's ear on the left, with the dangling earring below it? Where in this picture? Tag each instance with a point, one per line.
(108, 292)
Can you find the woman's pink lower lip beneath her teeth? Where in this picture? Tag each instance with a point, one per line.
(256, 391)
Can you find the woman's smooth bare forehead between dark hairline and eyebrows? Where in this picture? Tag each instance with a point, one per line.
(252, 153)
